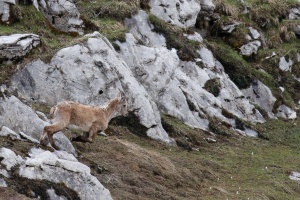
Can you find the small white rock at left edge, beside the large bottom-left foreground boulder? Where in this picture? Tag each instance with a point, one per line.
(9, 159)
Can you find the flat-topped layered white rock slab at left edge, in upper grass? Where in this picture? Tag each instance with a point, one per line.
(15, 46)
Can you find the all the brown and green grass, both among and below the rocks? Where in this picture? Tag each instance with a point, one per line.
(233, 166)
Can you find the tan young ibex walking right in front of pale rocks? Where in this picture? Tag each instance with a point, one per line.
(90, 119)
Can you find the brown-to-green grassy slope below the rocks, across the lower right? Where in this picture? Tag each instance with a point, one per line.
(235, 167)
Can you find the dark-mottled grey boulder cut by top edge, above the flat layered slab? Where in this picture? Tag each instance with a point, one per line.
(61, 14)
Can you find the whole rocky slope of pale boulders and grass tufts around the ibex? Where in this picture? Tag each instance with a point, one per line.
(217, 66)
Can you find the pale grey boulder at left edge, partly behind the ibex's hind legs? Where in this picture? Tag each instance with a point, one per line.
(22, 119)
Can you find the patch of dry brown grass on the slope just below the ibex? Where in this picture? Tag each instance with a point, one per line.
(132, 171)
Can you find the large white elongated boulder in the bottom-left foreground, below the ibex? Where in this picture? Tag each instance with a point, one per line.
(44, 165)
